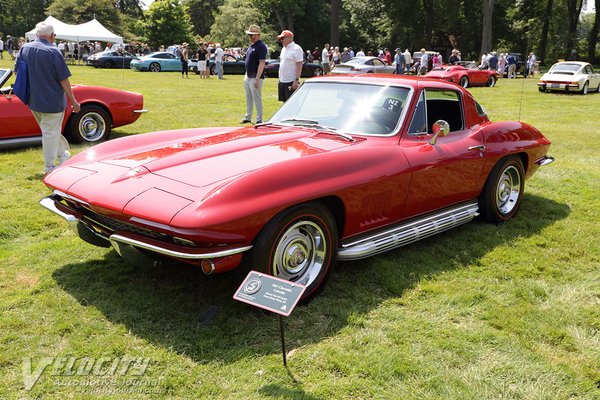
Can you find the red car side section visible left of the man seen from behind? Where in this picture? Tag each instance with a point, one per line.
(16, 119)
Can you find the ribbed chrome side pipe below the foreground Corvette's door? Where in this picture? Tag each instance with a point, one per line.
(408, 233)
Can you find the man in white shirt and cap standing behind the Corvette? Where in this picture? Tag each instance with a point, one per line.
(290, 65)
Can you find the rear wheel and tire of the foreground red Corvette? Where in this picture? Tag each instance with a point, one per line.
(503, 191)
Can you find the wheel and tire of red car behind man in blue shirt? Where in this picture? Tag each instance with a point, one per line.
(91, 125)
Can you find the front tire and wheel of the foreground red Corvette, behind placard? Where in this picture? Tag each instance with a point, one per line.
(298, 245)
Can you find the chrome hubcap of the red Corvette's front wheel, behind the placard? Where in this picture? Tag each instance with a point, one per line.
(300, 253)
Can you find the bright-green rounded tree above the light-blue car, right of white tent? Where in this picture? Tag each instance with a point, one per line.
(167, 23)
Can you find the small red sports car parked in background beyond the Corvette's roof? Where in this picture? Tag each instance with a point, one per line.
(465, 74)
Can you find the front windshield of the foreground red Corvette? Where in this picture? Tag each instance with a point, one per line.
(346, 107)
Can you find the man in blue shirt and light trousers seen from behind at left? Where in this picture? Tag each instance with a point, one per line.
(48, 76)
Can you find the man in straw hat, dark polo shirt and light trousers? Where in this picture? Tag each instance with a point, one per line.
(253, 80)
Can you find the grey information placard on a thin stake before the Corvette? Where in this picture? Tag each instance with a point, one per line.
(270, 293)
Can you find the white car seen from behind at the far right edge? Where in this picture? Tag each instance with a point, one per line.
(570, 76)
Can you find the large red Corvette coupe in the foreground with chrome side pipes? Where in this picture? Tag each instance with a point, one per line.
(349, 167)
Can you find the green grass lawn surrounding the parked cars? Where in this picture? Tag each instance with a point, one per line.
(480, 312)
